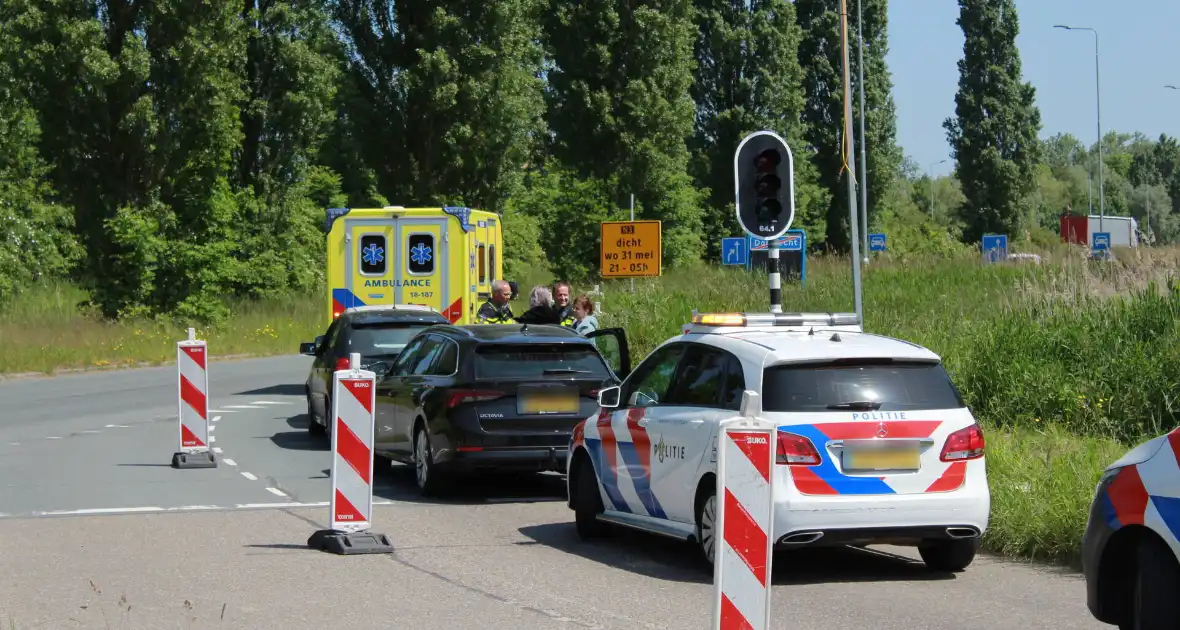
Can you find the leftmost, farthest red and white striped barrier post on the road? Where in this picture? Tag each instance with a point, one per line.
(193, 405)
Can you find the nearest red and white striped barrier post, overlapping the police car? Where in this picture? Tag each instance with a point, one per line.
(742, 566)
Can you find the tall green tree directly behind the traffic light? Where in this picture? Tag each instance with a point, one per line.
(749, 78)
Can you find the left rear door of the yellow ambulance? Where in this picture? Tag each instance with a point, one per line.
(371, 251)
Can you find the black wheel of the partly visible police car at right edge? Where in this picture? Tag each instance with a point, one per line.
(1157, 582)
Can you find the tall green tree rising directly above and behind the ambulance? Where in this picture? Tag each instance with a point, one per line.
(447, 96)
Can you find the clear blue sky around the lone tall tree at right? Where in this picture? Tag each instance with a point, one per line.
(1138, 44)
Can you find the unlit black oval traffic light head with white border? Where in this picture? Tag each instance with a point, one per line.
(764, 178)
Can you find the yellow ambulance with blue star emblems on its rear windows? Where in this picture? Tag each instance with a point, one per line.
(441, 258)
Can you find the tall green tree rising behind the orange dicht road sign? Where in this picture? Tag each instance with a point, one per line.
(620, 107)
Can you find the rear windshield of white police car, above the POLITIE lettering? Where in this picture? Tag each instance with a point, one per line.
(862, 386)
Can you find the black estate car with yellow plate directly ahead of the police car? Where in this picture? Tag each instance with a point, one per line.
(466, 399)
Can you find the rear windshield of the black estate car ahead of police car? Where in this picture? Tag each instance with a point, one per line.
(540, 362)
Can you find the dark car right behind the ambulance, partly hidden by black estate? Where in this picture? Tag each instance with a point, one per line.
(378, 333)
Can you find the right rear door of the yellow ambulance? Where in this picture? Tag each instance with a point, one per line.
(422, 272)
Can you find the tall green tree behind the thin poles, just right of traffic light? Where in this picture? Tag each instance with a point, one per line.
(822, 58)
